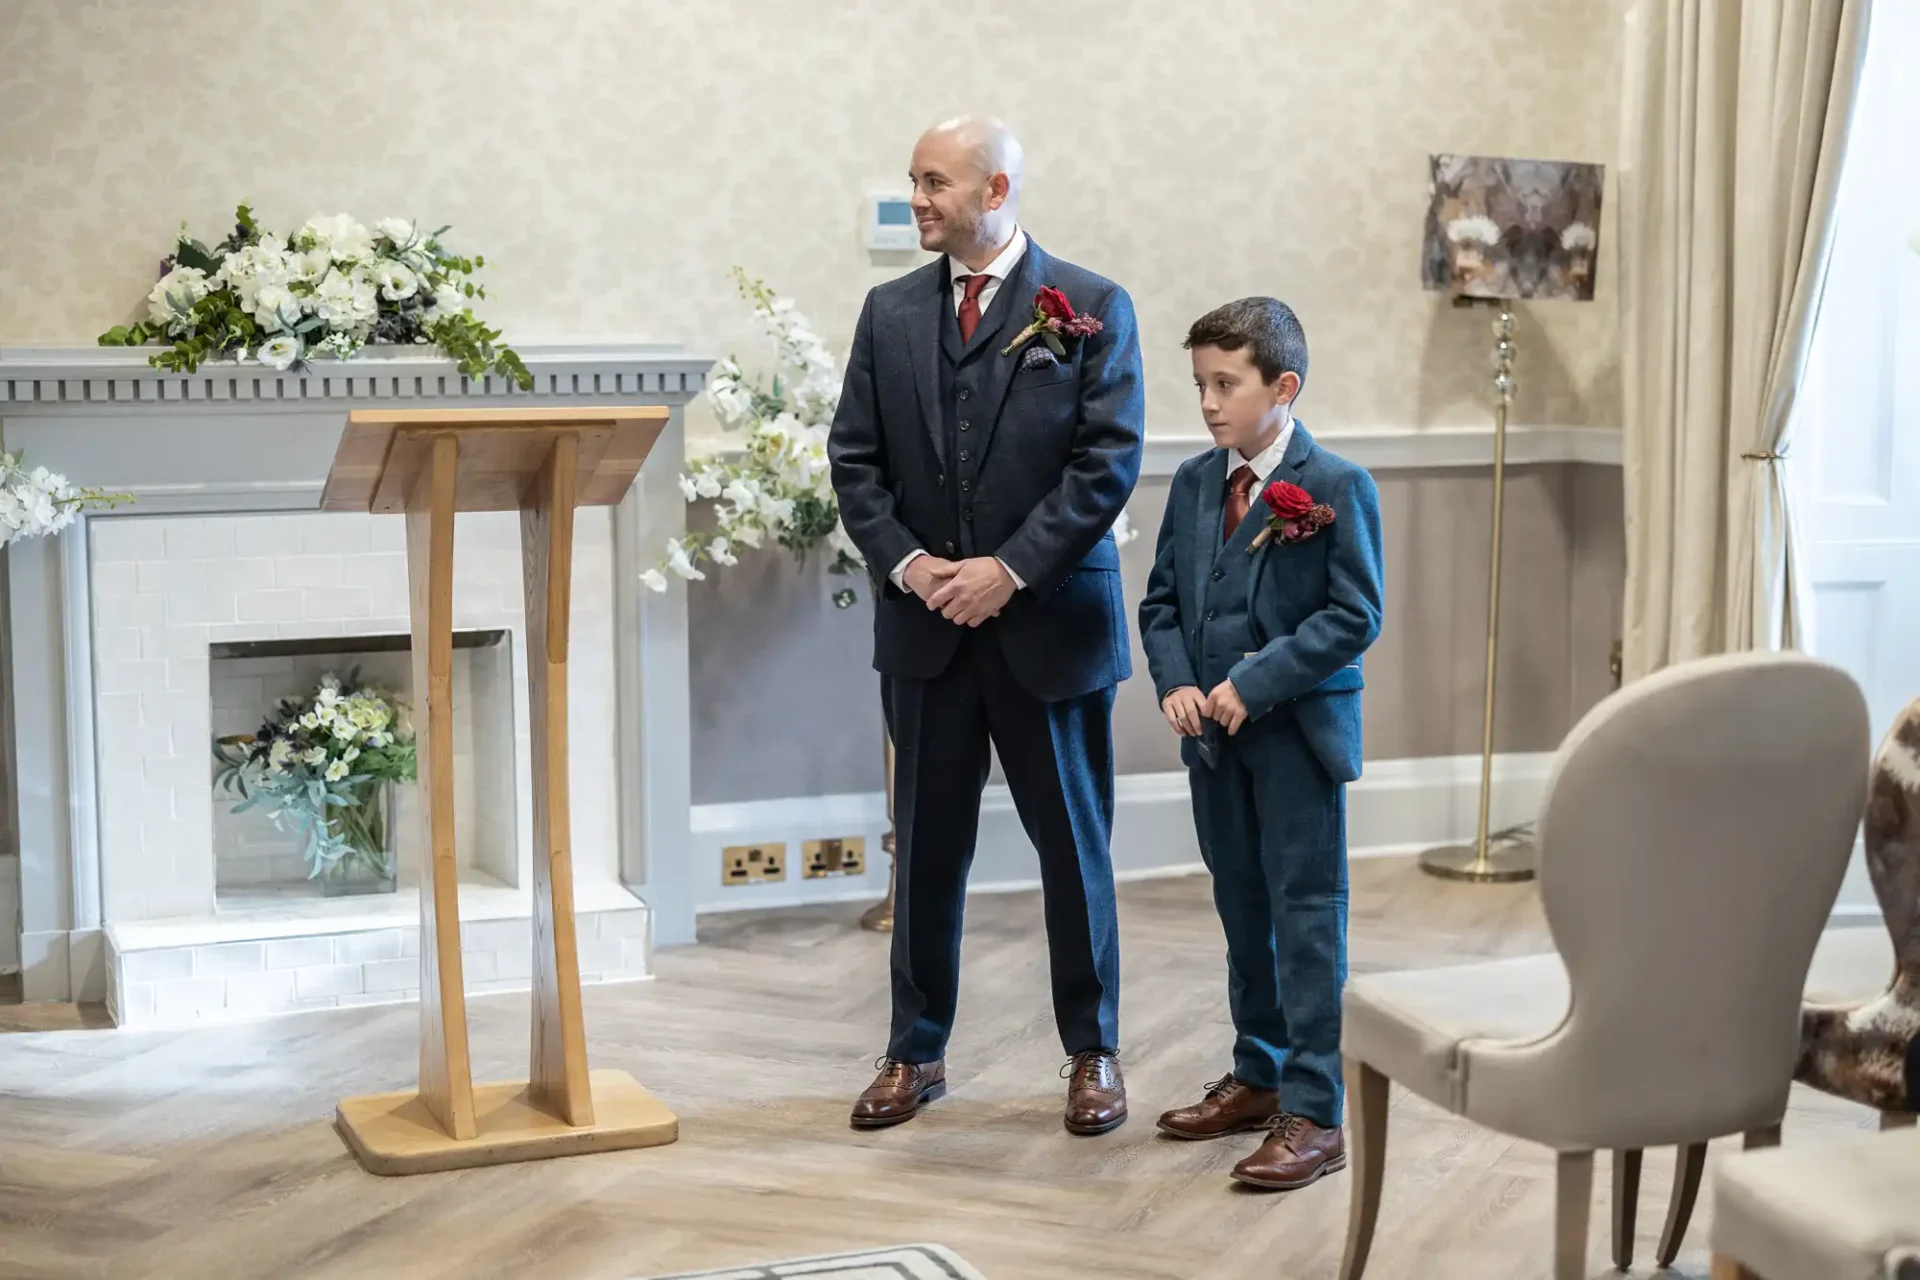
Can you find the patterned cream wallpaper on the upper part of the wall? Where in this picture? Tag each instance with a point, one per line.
(613, 158)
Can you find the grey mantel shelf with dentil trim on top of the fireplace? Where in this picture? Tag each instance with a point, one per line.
(122, 377)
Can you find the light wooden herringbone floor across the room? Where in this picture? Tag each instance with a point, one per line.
(210, 1152)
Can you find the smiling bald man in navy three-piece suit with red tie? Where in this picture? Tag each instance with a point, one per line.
(980, 469)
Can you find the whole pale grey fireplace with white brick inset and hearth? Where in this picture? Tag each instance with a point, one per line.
(122, 638)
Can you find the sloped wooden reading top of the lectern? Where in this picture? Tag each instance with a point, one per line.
(385, 452)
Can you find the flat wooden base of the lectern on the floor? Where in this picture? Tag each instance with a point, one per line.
(395, 1133)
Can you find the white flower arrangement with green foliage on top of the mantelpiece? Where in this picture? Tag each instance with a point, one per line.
(325, 291)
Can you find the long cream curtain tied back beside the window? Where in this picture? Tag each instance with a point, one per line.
(1735, 131)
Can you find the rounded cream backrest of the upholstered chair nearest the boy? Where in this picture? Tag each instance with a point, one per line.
(1692, 840)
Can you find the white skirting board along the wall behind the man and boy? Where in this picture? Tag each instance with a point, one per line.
(1399, 807)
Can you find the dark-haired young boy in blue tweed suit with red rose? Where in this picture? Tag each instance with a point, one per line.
(1264, 596)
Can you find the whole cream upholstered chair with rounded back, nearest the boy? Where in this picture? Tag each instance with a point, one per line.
(1692, 840)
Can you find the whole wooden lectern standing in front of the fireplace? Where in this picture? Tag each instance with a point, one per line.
(431, 463)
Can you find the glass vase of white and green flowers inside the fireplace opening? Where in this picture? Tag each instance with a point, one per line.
(324, 767)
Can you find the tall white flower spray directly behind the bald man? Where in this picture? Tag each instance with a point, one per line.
(779, 486)
